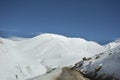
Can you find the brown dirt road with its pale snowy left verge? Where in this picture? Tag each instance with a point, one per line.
(61, 74)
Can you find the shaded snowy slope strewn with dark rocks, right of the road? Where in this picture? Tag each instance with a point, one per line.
(104, 66)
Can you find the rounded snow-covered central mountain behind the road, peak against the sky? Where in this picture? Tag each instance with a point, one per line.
(57, 50)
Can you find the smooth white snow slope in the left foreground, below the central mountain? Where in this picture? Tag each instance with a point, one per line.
(13, 65)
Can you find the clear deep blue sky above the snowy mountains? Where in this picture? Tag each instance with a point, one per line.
(97, 20)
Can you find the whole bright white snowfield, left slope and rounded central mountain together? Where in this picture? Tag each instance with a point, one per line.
(27, 58)
